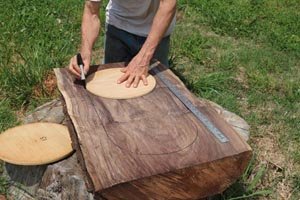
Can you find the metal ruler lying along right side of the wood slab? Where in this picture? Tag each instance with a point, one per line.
(206, 122)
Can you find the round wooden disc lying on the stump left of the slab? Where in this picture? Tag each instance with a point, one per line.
(35, 144)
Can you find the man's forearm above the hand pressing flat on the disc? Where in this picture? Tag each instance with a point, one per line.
(161, 23)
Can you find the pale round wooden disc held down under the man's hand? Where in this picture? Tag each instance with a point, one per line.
(103, 83)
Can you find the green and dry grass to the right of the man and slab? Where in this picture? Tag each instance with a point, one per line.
(245, 68)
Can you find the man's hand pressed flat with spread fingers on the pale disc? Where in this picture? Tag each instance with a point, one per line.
(135, 71)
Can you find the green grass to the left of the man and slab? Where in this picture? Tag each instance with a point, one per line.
(35, 37)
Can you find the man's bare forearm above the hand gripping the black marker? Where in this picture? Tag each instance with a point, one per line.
(90, 27)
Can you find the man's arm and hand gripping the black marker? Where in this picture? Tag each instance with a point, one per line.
(89, 32)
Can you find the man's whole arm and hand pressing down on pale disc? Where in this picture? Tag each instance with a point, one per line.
(137, 69)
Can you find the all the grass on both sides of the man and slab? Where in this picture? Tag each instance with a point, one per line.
(242, 54)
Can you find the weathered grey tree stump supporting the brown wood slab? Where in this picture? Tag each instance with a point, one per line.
(65, 179)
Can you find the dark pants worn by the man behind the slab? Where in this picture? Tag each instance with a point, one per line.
(121, 46)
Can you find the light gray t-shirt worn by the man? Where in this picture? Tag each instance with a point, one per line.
(134, 16)
